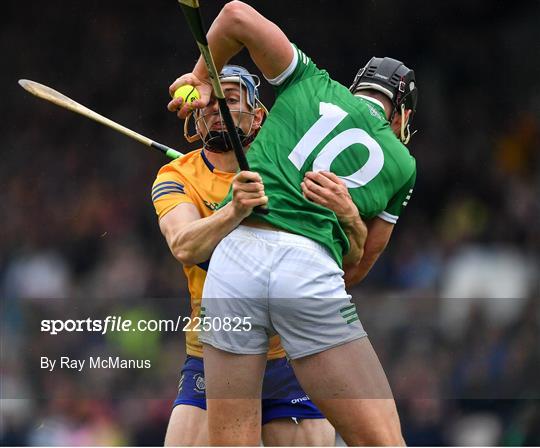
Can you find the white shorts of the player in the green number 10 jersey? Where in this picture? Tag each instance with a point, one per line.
(283, 283)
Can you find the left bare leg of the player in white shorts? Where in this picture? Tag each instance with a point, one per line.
(233, 388)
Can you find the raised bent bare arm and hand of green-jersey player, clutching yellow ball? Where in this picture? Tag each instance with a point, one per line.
(238, 25)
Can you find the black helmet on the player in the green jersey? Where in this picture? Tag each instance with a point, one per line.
(390, 77)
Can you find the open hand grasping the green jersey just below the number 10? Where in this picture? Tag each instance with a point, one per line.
(326, 189)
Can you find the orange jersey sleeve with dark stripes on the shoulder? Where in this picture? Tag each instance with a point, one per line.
(169, 190)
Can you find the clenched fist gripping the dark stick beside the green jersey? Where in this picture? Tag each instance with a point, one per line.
(248, 193)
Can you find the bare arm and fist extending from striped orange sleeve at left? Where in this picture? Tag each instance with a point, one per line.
(192, 239)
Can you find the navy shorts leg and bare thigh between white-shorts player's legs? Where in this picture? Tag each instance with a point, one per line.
(289, 417)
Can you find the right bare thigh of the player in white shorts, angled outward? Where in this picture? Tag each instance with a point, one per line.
(349, 386)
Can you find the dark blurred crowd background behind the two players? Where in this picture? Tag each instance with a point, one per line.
(452, 306)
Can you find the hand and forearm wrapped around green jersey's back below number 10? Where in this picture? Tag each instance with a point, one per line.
(327, 189)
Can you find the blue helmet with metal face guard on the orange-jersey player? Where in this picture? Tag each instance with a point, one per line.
(219, 140)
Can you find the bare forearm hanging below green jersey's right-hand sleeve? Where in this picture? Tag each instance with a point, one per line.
(378, 235)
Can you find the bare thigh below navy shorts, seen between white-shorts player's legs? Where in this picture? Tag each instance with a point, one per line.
(307, 432)
